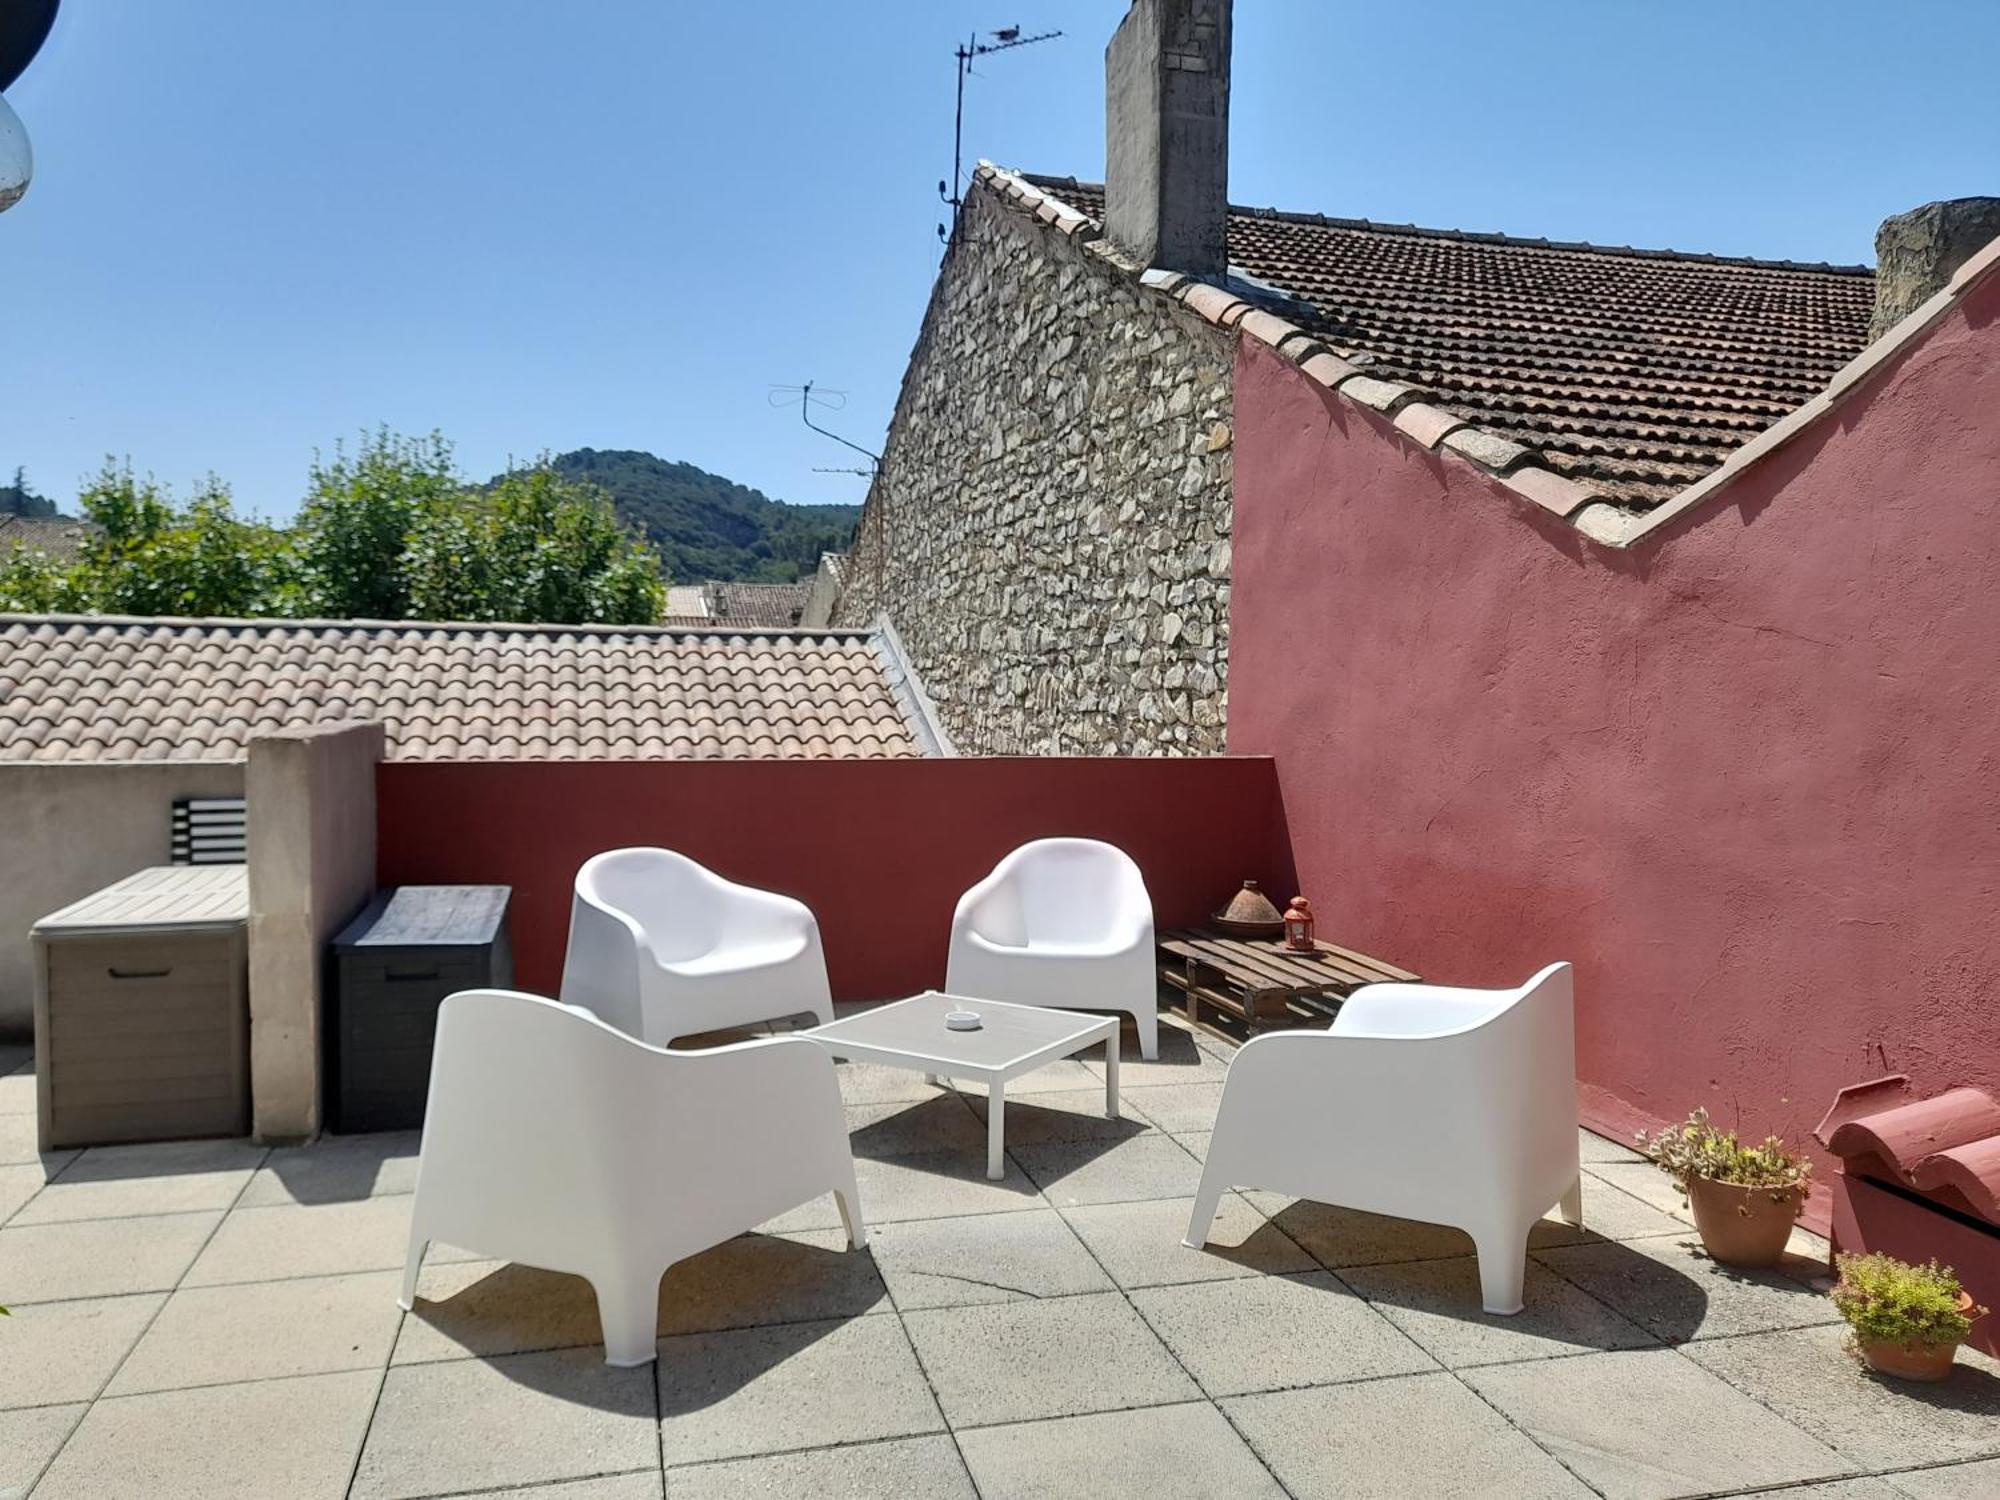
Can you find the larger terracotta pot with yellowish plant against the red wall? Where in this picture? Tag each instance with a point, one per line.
(1745, 1199)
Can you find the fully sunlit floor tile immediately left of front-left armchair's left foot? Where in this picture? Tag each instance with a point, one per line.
(223, 1335)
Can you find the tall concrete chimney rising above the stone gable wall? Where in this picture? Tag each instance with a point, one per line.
(1167, 135)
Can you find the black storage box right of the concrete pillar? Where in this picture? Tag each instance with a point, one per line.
(393, 967)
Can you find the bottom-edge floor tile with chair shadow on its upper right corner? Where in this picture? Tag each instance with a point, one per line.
(513, 1421)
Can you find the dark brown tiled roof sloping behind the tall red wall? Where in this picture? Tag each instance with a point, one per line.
(1631, 371)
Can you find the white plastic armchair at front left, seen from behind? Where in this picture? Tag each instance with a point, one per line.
(557, 1141)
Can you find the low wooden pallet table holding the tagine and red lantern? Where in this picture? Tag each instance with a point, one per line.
(1263, 983)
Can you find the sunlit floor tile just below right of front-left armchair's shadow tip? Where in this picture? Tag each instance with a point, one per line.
(1019, 1361)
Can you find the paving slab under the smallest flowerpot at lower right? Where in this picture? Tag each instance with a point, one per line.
(1875, 1423)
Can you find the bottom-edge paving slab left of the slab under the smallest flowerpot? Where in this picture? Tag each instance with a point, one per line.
(1647, 1425)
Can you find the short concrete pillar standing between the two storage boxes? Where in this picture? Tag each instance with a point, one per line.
(313, 853)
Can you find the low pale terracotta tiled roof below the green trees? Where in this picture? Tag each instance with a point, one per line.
(131, 689)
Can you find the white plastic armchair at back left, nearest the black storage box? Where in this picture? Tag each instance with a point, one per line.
(663, 947)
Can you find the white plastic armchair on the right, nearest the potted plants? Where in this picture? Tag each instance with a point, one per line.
(1453, 1107)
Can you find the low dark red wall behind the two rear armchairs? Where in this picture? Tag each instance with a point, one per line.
(879, 849)
